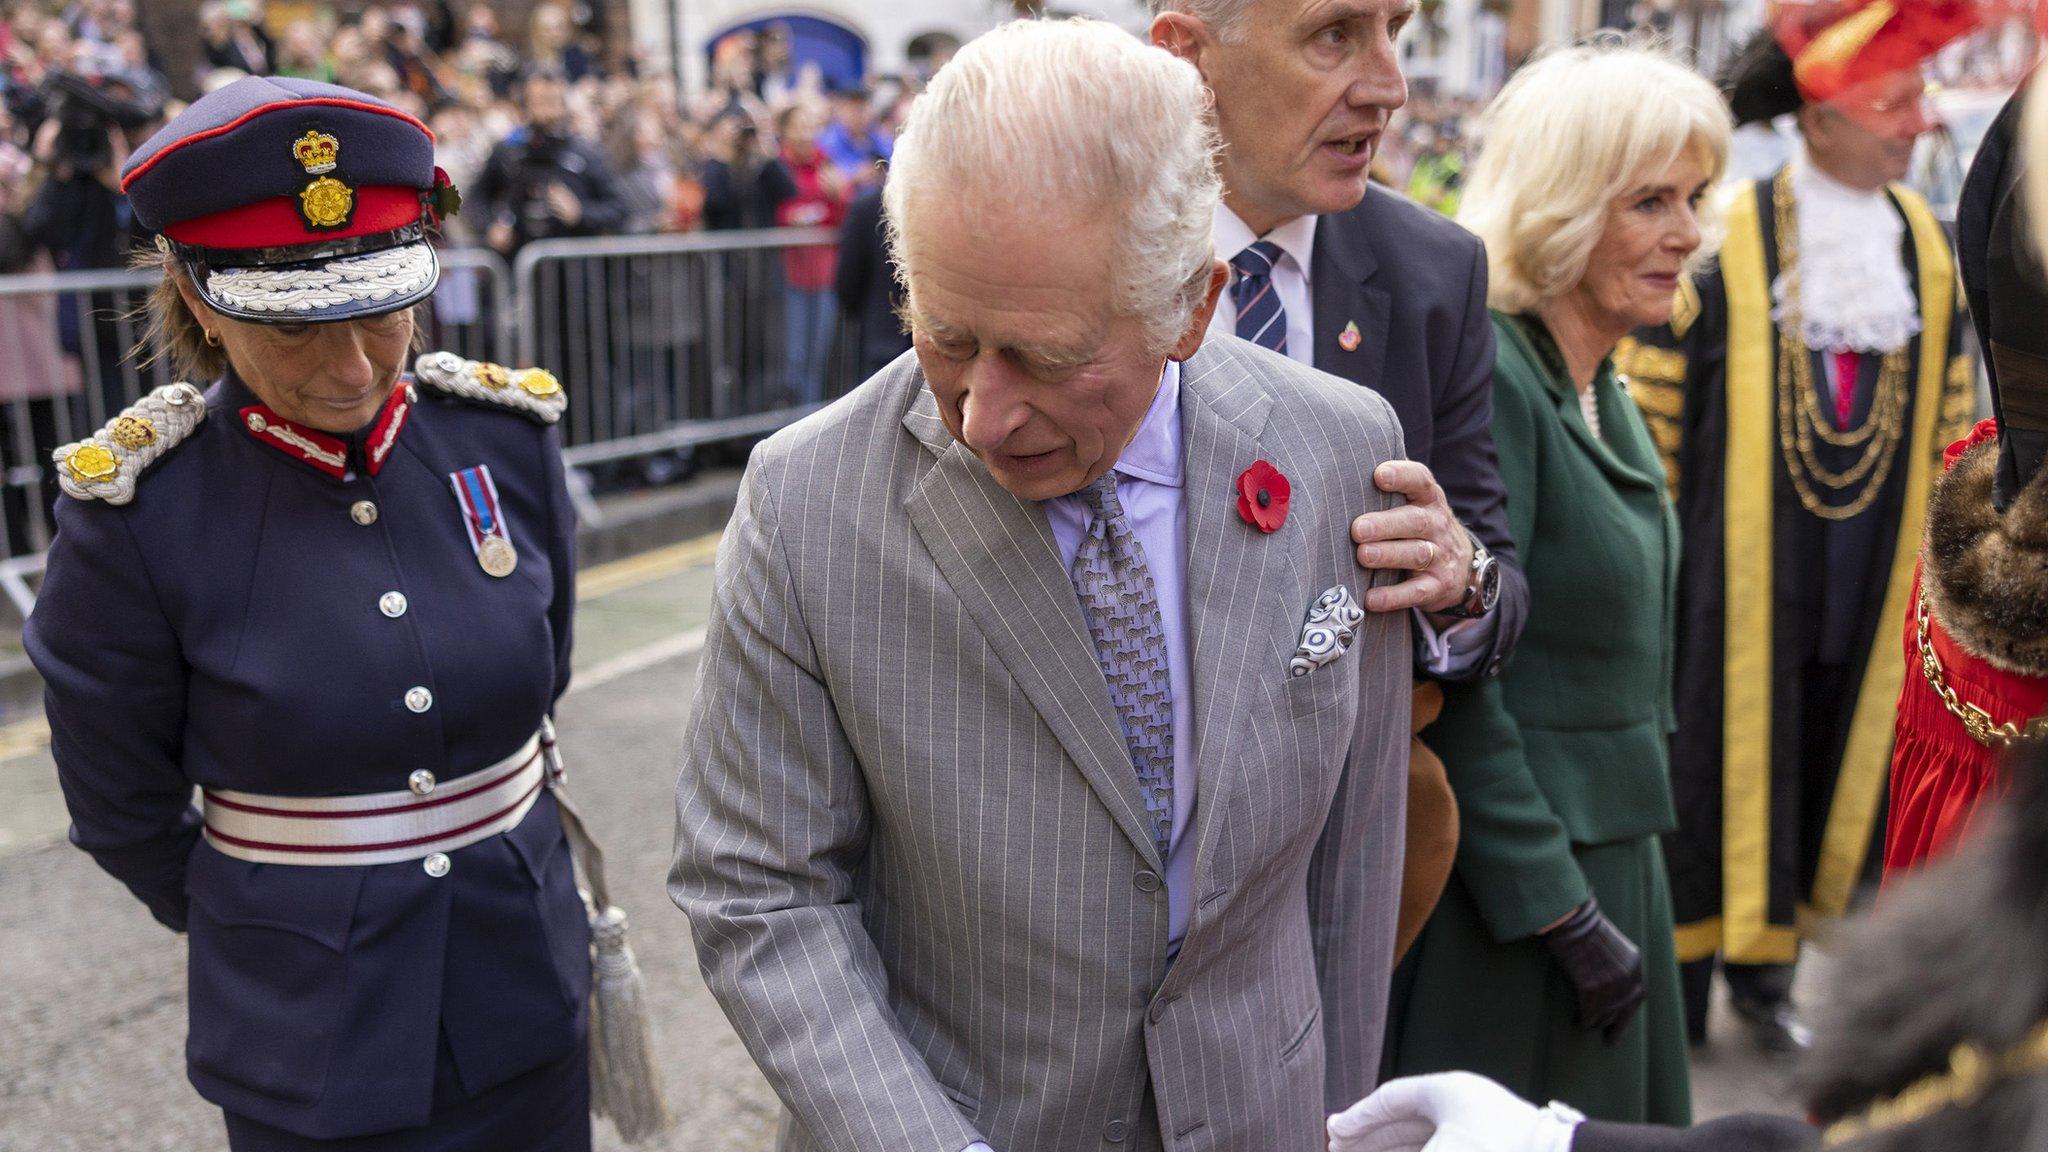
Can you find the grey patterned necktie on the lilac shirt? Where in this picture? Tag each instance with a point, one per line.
(1123, 616)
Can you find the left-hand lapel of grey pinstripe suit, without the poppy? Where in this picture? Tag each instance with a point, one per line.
(998, 557)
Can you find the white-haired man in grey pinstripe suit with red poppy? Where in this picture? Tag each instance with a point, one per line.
(1019, 807)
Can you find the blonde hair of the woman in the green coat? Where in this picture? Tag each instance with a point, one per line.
(1568, 136)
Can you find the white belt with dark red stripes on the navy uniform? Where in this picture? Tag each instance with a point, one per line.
(382, 827)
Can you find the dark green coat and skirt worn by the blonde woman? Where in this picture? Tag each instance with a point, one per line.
(1562, 766)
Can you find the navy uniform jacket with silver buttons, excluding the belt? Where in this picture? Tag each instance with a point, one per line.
(224, 630)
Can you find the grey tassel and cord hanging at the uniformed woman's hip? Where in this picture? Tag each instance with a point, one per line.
(624, 1081)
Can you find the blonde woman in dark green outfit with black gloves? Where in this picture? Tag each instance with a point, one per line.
(1549, 962)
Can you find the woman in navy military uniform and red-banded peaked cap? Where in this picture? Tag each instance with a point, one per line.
(337, 600)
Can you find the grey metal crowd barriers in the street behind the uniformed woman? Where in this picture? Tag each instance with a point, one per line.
(667, 343)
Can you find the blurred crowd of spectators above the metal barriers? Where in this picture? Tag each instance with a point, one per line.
(548, 132)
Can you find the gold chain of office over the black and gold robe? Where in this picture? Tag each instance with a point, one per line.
(1799, 409)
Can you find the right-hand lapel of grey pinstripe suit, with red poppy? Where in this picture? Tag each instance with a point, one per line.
(1238, 577)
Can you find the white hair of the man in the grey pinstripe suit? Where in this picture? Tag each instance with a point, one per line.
(1074, 120)
